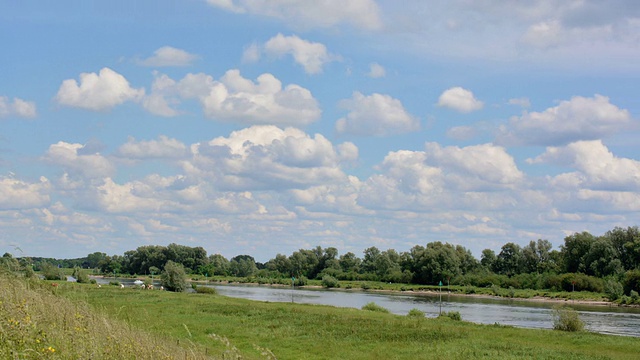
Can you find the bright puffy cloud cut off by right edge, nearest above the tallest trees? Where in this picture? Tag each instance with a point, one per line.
(597, 167)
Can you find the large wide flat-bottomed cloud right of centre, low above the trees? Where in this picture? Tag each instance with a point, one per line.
(444, 178)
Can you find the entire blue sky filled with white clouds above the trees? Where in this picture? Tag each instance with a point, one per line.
(263, 127)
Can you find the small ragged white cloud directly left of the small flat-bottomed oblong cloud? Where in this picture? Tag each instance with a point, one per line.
(73, 160)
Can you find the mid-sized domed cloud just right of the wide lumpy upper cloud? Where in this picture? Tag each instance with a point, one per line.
(375, 115)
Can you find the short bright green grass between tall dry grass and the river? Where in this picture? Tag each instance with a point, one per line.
(298, 331)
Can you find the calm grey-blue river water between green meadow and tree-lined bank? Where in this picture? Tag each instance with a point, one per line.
(527, 314)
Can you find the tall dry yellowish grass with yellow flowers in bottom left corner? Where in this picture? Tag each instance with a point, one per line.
(36, 323)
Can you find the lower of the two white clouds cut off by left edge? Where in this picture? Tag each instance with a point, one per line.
(17, 194)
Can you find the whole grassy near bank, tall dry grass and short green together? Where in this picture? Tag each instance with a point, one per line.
(71, 321)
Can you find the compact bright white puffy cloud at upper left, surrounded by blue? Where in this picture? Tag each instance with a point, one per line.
(97, 92)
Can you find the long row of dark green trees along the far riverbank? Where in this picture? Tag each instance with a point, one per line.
(583, 262)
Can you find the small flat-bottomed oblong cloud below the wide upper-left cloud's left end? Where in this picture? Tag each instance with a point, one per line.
(163, 148)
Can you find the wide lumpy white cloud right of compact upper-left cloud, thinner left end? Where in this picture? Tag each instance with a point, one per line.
(237, 99)
